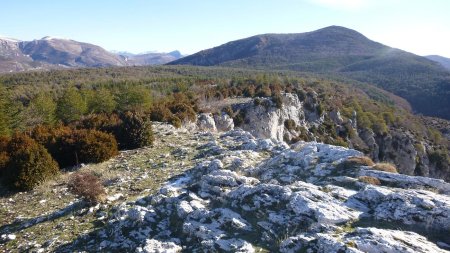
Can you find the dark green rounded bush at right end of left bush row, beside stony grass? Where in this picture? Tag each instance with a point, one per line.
(135, 131)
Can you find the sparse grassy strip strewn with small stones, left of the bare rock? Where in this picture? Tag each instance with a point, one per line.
(49, 216)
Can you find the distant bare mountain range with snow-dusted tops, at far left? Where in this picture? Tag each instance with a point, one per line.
(52, 53)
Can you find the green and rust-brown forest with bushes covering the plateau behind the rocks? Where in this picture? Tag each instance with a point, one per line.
(59, 119)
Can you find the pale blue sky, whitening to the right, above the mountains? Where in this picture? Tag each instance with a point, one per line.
(418, 26)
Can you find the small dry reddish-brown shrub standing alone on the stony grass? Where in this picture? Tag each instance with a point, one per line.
(87, 186)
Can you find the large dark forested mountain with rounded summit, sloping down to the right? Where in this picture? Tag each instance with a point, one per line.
(344, 53)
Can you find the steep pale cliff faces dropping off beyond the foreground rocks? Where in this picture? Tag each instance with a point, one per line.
(299, 120)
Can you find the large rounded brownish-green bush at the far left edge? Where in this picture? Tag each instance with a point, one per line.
(29, 163)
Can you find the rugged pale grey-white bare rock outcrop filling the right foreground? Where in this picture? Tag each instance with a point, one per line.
(246, 194)
